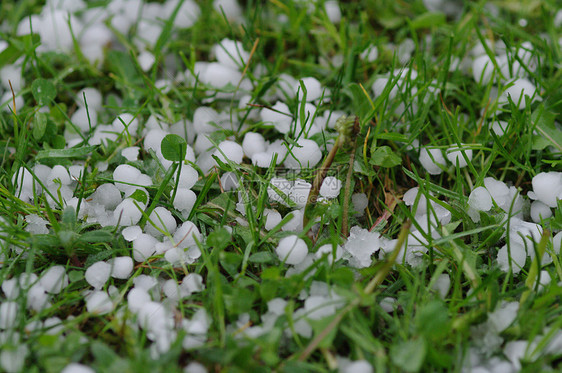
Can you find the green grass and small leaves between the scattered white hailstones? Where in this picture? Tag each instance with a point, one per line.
(424, 331)
